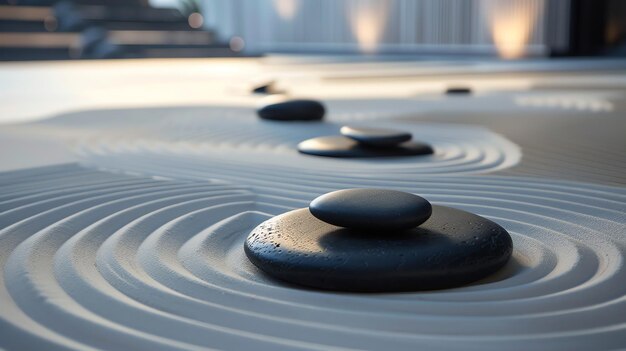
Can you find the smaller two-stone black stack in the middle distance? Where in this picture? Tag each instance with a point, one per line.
(365, 142)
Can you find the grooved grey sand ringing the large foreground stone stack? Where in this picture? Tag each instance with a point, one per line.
(111, 261)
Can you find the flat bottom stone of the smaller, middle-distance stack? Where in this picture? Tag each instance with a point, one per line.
(341, 146)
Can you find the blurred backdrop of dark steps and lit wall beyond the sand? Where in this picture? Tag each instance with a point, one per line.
(102, 29)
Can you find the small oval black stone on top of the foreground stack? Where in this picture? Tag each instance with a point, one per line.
(371, 209)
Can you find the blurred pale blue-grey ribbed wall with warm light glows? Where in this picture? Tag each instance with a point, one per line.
(511, 28)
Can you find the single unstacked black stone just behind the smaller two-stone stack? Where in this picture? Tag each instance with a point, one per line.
(293, 110)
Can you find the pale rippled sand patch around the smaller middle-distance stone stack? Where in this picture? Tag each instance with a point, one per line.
(237, 136)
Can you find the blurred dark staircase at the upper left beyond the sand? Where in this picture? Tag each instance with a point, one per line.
(99, 29)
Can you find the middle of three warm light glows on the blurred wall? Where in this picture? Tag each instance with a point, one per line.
(368, 22)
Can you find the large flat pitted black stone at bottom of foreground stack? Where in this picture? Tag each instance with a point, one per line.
(452, 248)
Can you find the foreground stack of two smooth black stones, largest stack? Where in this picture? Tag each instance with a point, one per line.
(375, 240)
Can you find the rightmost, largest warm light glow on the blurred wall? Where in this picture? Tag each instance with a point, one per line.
(511, 25)
